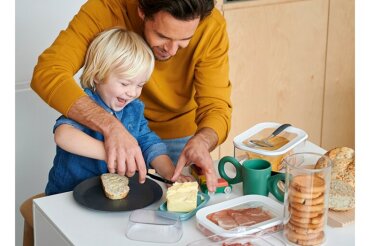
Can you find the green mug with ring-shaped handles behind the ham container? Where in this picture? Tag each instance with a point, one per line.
(255, 175)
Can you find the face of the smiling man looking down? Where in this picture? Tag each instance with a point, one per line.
(166, 35)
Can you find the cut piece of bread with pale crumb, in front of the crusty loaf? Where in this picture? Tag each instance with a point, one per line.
(341, 196)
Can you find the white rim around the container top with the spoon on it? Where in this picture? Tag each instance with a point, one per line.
(298, 136)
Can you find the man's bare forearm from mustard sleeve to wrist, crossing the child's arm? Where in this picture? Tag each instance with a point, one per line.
(88, 113)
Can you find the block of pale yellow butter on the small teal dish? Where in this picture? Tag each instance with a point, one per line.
(182, 197)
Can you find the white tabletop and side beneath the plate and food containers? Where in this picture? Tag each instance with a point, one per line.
(59, 220)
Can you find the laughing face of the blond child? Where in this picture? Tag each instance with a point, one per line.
(117, 92)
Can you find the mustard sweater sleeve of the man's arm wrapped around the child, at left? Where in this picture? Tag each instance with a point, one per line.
(53, 75)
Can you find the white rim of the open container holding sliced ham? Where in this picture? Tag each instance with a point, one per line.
(247, 201)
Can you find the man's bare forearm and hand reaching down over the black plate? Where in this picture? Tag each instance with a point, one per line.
(123, 153)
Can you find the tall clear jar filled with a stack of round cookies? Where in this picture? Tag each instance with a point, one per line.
(306, 199)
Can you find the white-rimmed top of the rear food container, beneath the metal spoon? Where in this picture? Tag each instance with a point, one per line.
(293, 137)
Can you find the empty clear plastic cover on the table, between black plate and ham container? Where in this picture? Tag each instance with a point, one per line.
(154, 226)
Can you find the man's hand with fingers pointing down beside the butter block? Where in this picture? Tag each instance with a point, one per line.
(197, 151)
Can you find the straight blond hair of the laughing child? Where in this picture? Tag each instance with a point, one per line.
(116, 50)
